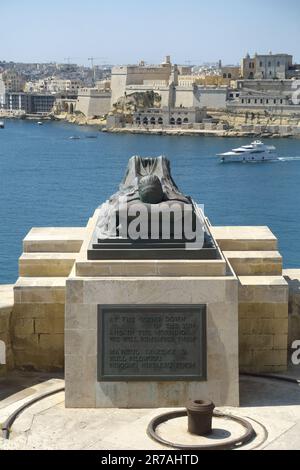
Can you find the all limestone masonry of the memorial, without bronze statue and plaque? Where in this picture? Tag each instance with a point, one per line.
(42, 326)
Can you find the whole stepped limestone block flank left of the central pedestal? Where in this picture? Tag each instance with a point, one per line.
(37, 320)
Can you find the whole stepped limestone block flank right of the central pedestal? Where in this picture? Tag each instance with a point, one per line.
(263, 297)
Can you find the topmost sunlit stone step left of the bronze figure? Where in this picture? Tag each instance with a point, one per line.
(54, 240)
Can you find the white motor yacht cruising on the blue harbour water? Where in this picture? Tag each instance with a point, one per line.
(255, 152)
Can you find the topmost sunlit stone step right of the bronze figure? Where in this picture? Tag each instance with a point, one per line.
(245, 238)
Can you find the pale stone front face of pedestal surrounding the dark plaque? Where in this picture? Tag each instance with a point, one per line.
(84, 295)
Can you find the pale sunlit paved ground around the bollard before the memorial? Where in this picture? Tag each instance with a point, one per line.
(268, 404)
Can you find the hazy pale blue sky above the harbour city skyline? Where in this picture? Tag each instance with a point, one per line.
(125, 31)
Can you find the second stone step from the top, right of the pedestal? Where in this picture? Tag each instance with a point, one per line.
(255, 263)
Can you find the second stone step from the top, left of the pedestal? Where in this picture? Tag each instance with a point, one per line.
(46, 264)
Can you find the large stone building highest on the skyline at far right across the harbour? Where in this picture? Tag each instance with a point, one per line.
(267, 66)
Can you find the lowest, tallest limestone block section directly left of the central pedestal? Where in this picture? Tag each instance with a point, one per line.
(37, 327)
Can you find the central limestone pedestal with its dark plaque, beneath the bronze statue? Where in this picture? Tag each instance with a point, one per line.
(206, 289)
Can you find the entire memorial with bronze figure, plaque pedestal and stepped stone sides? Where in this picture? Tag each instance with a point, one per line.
(149, 324)
